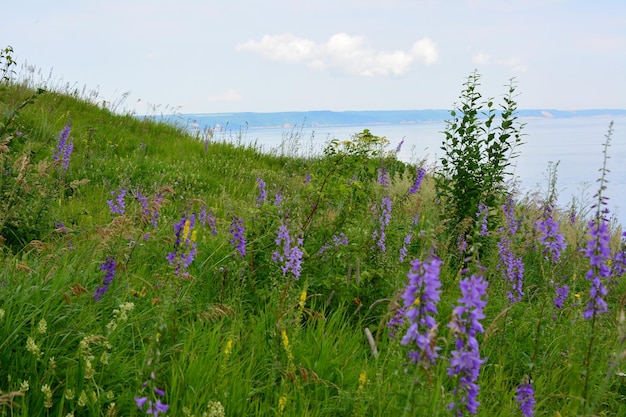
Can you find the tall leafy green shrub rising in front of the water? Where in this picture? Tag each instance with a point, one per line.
(479, 144)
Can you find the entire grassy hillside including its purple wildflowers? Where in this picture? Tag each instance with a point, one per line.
(145, 270)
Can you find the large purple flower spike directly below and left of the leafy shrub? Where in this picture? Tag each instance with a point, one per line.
(421, 296)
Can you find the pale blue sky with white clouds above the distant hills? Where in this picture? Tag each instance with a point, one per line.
(194, 56)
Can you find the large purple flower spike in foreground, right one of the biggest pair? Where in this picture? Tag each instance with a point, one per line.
(465, 361)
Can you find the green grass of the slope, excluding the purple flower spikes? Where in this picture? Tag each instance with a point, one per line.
(233, 329)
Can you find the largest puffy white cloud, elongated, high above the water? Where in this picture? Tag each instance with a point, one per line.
(342, 52)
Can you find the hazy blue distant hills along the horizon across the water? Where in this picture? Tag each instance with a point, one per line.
(312, 119)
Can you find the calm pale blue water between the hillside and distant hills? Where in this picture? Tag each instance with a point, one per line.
(576, 144)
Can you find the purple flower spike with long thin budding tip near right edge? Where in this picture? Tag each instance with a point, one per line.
(599, 253)
